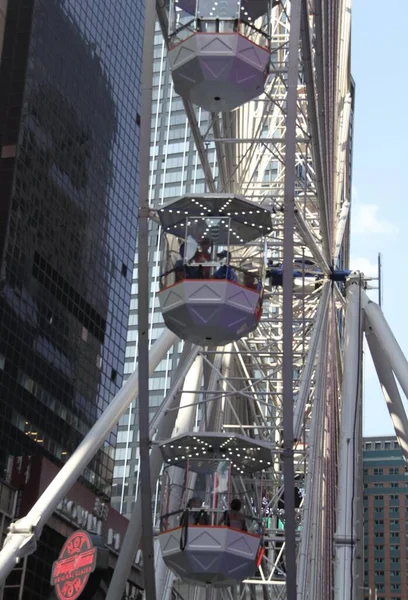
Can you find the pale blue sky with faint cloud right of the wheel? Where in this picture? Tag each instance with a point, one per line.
(379, 219)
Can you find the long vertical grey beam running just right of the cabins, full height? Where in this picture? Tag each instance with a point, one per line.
(288, 255)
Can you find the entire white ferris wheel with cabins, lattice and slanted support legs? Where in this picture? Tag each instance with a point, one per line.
(259, 495)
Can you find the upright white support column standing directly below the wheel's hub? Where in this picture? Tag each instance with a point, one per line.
(345, 536)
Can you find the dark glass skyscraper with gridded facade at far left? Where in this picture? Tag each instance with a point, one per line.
(69, 136)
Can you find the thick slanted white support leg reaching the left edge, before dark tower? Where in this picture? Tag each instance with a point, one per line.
(22, 539)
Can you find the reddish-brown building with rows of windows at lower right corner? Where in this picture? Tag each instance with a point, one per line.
(385, 518)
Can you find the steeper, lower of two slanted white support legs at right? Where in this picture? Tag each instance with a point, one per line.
(390, 391)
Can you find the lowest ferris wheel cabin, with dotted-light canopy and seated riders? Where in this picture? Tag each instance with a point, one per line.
(203, 539)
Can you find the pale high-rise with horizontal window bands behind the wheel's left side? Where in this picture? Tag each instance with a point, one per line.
(175, 169)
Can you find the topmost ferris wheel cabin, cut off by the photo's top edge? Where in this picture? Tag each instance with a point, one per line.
(219, 51)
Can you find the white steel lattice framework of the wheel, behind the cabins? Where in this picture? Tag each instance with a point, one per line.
(252, 148)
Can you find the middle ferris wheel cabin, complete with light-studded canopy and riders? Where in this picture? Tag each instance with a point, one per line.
(211, 288)
